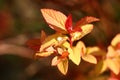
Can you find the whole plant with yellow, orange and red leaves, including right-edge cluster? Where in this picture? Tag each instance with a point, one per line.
(60, 44)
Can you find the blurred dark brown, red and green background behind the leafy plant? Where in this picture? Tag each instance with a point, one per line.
(21, 20)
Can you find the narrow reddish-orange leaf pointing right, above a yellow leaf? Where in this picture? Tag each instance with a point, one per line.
(86, 20)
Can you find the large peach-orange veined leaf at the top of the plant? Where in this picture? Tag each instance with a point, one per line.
(55, 19)
